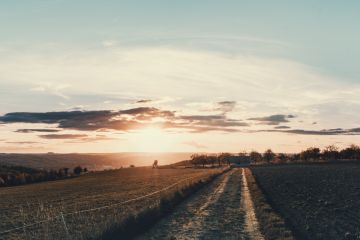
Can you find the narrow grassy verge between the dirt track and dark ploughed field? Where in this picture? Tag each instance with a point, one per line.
(272, 225)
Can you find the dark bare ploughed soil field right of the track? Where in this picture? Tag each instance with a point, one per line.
(318, 201)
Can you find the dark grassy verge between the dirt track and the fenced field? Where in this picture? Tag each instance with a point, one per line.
(139, 223)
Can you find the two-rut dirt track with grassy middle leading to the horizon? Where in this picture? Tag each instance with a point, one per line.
(222, 210)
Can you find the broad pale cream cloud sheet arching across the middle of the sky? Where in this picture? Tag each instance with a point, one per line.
(193, 75)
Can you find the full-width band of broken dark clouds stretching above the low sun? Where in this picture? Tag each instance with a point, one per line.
(141, 117)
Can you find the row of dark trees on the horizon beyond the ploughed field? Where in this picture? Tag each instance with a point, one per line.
(312, 154)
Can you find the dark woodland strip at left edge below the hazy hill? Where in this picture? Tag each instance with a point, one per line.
(18, 175)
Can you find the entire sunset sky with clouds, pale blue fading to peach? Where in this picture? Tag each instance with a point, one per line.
(178, 76)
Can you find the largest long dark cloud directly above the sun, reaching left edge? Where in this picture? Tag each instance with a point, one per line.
(123, 120)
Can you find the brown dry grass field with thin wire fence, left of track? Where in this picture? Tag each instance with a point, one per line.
(44, 201)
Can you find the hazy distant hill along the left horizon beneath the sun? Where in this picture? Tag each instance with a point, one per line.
(91, 161)
